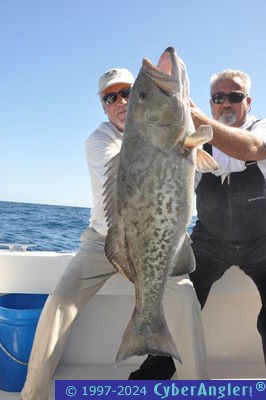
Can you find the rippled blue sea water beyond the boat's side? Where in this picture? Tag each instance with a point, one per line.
(43, 227)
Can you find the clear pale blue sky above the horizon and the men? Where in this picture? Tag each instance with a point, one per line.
(53, 51)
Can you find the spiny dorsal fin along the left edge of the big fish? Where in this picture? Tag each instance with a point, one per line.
(115, 246)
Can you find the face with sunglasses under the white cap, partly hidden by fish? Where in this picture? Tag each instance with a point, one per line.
(116, 110)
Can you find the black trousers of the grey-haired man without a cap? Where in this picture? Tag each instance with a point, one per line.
(213, 258)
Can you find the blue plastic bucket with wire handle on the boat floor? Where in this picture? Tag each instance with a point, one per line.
(19, 315)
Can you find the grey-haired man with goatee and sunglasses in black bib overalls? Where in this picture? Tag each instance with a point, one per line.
(231, 201)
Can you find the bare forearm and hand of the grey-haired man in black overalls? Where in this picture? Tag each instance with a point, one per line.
(235, 142)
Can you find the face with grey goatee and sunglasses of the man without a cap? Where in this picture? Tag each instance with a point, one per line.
(229, 112)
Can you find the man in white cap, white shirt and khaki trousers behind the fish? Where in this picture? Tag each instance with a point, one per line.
(90, 269)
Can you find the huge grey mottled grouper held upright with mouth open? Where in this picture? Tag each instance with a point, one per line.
(149, 198)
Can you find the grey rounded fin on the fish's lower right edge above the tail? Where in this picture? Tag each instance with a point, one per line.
(184, 261)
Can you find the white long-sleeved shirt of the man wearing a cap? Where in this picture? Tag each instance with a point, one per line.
(100, 147)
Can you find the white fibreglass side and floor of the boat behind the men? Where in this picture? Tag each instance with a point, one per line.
(233, 344)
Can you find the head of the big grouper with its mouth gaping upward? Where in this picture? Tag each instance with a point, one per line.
(159, 101)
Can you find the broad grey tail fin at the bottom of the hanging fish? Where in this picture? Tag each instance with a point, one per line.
(147, 337)
